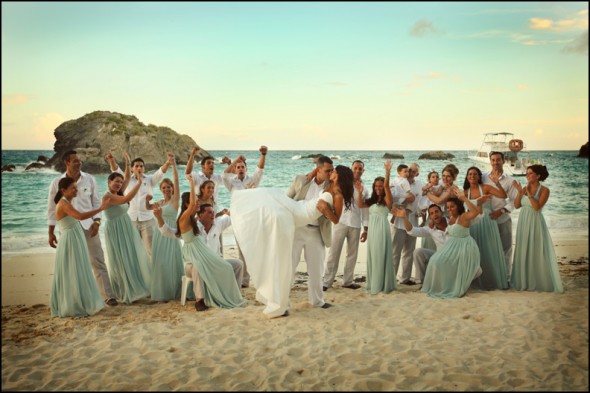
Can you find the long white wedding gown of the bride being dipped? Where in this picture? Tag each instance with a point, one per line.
(264, 222)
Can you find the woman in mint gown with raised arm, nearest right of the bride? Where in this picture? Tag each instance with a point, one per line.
(380, 272)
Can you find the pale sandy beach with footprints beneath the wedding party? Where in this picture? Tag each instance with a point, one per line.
(495, 341)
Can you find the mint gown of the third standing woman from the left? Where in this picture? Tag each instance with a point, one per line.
(167, 264)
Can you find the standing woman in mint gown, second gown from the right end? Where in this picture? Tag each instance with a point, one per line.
(485, 230)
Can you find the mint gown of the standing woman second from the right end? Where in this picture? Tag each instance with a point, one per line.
(486, 234)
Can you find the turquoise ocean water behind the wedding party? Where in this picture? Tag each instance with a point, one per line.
(24, 193)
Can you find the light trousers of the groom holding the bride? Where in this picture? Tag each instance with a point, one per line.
(309, 240)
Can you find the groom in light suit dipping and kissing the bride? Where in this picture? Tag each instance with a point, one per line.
(315, 237)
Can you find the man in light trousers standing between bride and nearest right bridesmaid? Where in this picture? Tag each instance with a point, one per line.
(349, 229)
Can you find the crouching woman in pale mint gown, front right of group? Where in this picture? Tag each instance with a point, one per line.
(456, 264)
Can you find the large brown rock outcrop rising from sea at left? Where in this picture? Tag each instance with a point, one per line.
(97, 133)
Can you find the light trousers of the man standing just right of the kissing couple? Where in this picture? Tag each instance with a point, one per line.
(341, 232)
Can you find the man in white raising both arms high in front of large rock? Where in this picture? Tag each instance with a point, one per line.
(142, 218)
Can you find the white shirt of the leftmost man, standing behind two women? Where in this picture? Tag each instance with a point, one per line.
(86, 200)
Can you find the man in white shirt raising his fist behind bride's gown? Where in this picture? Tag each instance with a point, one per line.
(235, 178)
